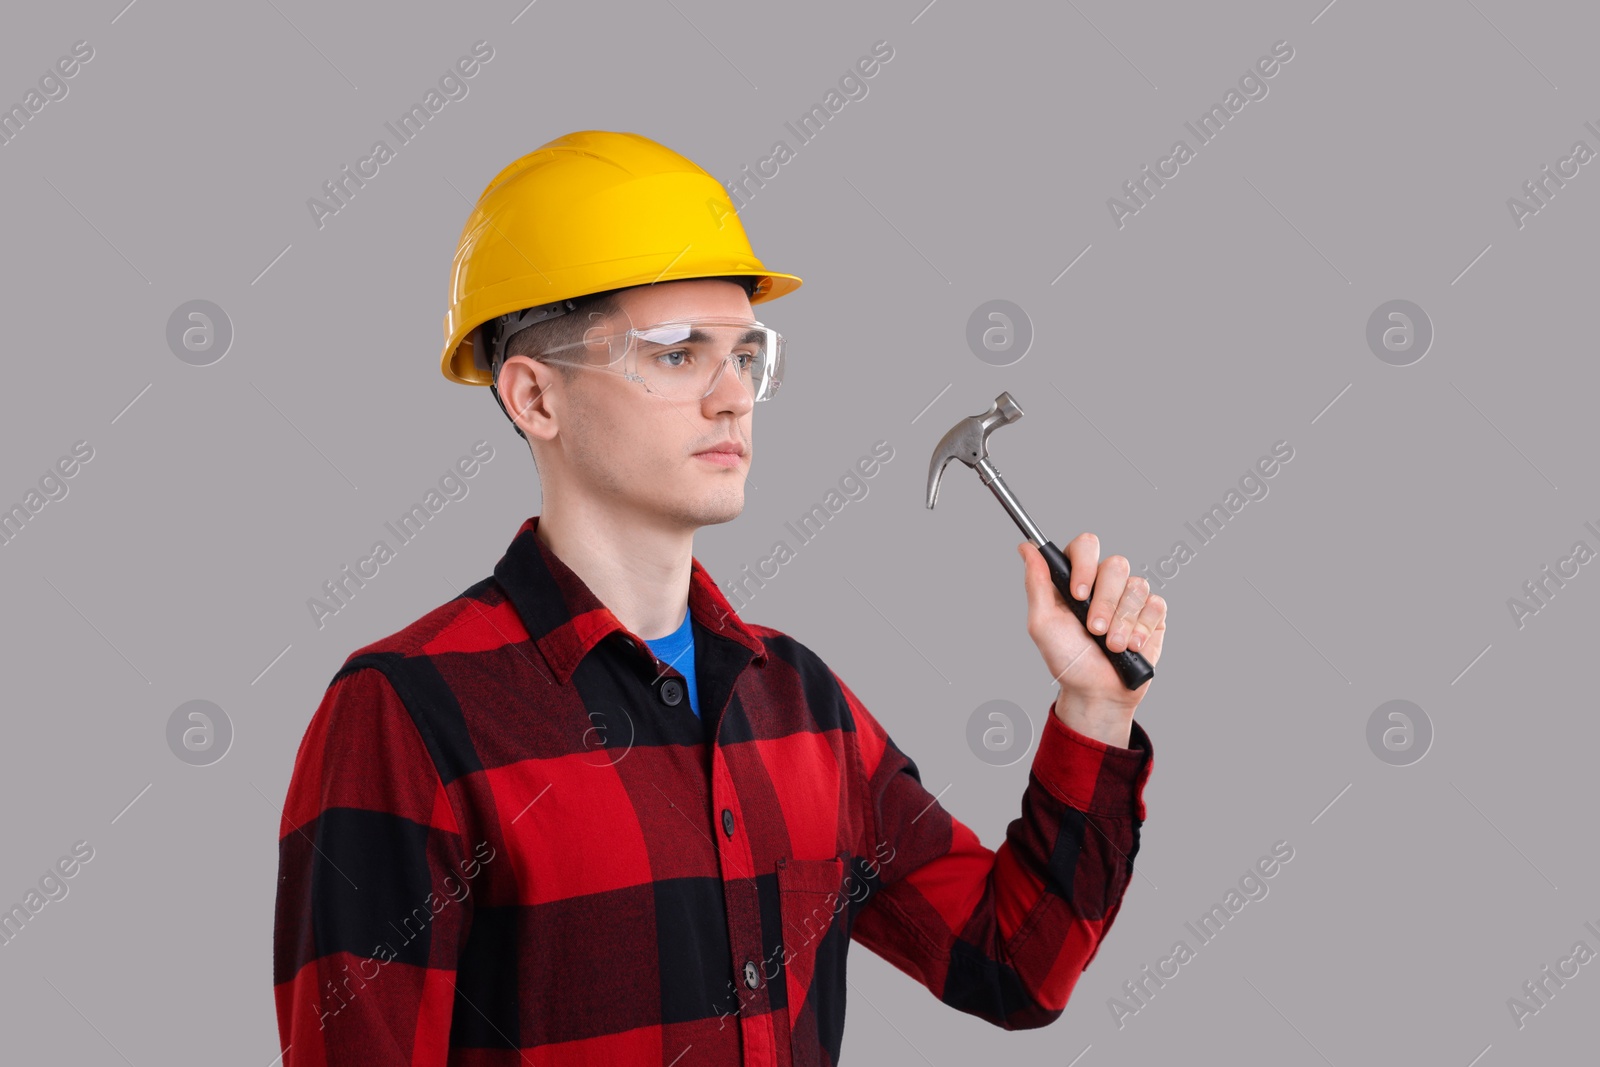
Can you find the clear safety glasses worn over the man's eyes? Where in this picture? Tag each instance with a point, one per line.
(686, 361)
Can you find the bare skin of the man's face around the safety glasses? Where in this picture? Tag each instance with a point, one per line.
(639, 452)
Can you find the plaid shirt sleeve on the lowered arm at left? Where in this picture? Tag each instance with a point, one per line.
(374, 895)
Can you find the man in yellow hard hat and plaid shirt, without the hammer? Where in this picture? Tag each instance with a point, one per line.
(585, 813)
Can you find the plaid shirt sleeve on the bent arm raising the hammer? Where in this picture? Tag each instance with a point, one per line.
(1002, 935)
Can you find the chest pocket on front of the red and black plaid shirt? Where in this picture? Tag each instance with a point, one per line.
(812, 903)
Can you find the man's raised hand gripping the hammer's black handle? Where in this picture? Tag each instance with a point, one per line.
(1094, 701)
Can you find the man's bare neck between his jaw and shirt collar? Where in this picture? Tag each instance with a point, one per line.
(639, 572)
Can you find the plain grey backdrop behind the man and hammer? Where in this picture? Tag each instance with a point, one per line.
(1230, 314)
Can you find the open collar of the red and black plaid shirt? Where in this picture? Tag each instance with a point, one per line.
(566, 620)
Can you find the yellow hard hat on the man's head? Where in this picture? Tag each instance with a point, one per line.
(586, 214)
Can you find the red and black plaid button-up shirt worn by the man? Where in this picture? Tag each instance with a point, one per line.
(510, 841)
